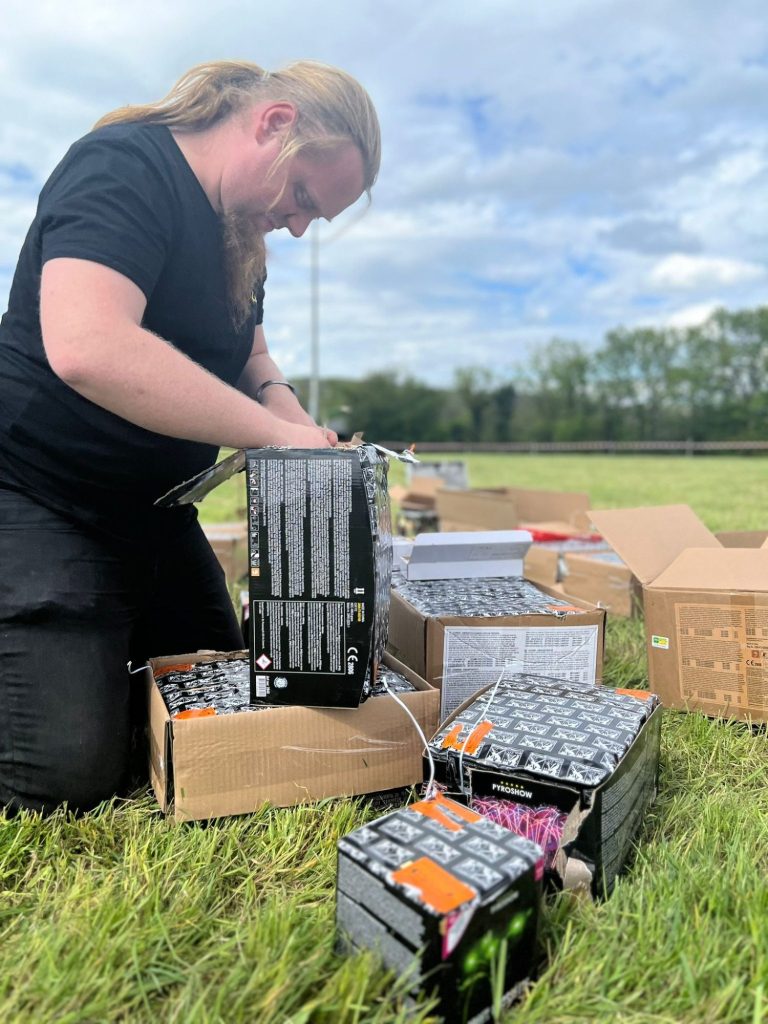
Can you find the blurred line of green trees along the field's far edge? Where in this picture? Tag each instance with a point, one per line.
(707, 382)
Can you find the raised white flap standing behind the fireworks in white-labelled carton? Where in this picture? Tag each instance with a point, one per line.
(455, 557)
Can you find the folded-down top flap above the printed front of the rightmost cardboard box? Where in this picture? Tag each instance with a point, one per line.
(721, 570)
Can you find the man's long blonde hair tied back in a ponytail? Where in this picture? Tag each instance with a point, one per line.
(332, 107)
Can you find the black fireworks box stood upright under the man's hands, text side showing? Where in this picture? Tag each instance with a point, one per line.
(320, 568)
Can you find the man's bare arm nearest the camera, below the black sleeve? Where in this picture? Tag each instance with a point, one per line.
(91, 318)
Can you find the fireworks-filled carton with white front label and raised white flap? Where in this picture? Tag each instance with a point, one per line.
(459, 633)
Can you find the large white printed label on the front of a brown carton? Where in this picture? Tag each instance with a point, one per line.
(474, 658)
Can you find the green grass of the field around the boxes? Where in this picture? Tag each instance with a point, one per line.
(121, 916)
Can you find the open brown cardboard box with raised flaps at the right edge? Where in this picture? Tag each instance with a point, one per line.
(706, 611)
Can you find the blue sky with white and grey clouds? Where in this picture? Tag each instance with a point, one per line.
(549, 172)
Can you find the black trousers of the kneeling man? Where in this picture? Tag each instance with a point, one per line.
(75, 609)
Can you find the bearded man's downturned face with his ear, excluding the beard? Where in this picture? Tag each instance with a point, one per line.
(271, 196)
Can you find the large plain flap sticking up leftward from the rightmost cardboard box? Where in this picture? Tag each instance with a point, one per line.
(650, 539)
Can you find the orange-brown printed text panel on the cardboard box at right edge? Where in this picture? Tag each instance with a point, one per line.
(723, 657)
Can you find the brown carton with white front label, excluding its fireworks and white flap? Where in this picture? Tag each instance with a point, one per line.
(462, 654)
